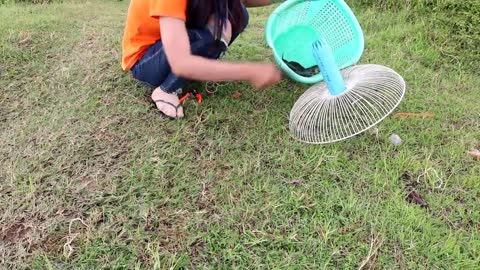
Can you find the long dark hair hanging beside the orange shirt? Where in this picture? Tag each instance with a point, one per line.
(198, 12)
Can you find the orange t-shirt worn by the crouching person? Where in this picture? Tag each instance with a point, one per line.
(143, 27)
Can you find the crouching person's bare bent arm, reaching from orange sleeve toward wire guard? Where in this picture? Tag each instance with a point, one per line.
(184, 64)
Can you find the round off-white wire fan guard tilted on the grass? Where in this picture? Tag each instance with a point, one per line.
(373, 92)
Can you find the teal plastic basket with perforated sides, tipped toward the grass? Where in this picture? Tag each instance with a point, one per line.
(296, 24)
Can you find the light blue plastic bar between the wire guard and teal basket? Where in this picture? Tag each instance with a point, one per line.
(328, 67)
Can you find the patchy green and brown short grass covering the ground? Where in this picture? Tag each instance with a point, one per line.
(91, 177)
